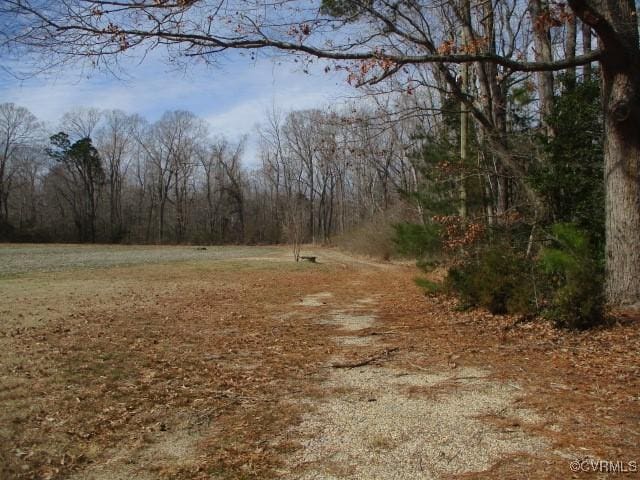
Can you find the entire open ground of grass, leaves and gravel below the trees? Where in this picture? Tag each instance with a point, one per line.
(236, 362)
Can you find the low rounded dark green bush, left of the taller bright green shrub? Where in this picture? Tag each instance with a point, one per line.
(498, 279)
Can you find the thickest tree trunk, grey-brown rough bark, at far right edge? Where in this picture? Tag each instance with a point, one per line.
(615, 22)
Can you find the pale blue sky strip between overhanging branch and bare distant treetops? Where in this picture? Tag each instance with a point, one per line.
(232, 96)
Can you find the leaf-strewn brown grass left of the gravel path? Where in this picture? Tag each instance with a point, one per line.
(118, 360)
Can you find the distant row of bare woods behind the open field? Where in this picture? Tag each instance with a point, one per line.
(111, 176)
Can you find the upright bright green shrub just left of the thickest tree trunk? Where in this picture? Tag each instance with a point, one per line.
(575, 277)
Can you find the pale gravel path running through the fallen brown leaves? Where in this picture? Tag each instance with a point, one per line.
(382, 422)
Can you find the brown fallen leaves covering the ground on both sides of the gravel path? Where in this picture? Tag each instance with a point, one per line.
(217, 358)
